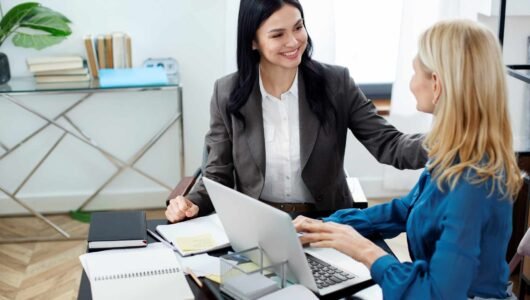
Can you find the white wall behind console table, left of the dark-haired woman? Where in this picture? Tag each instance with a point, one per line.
(192, 31)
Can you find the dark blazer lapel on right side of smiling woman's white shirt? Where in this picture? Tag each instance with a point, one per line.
(309, 124)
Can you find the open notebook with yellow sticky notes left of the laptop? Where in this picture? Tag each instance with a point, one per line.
(196, 235)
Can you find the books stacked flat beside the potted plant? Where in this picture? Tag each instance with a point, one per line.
(55, 69)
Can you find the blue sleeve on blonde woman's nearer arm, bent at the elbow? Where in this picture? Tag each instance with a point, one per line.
(449, 273)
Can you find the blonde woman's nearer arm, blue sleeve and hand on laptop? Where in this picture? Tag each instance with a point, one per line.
(449, 272)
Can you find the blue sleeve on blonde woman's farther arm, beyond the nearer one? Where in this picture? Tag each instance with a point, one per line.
(388, 219)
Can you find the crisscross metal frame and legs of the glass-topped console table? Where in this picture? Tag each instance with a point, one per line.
(90, 142)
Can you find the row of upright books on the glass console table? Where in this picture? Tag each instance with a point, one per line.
(108, 51)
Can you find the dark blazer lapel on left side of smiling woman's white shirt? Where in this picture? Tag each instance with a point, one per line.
(253, 132)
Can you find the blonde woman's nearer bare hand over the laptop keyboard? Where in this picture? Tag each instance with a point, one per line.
(341, 237)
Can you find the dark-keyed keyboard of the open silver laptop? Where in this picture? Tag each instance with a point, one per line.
(325, 274)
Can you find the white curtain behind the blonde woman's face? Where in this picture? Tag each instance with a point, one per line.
(417, 15)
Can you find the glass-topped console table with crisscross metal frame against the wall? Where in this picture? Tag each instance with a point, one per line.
(19, 87)
